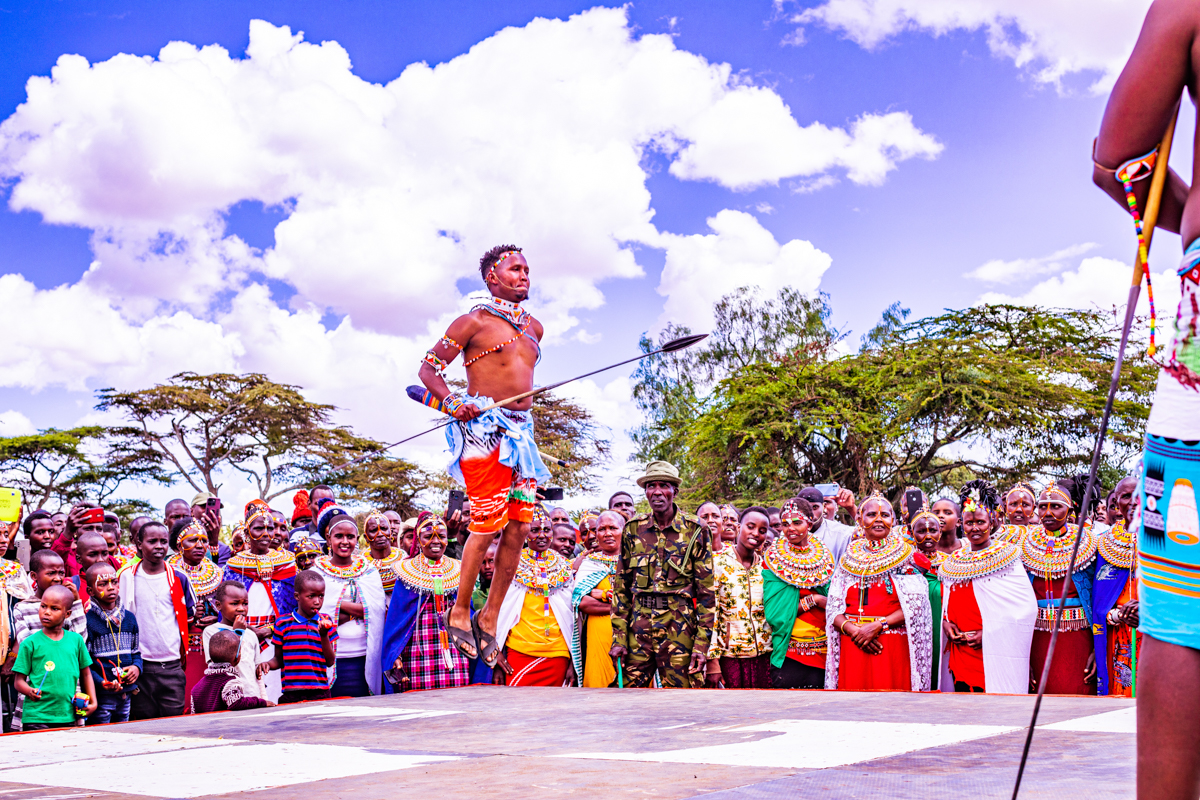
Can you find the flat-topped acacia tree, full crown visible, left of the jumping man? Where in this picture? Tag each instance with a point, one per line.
(195, 426)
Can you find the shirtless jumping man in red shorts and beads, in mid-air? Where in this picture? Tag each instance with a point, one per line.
(495, 454)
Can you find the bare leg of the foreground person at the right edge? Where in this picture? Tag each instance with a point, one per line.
(1168, 721)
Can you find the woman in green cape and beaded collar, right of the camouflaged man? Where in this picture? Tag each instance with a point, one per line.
(796, 582)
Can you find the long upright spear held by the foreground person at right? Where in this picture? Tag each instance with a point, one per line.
(1154, 202)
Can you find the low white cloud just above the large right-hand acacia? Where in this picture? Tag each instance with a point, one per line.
(1100, 284)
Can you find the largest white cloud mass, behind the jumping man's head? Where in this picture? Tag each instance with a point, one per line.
(538, 135)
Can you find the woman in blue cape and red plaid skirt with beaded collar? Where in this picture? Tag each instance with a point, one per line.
(417, 647)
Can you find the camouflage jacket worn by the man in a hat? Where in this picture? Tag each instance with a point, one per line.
(673, 561)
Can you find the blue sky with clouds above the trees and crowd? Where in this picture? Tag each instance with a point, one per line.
(997, 172)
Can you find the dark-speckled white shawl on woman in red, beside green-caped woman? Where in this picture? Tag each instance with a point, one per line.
(914, 593)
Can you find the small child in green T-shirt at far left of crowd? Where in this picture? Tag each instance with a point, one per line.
(51, 664)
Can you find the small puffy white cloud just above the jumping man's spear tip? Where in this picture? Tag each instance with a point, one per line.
(740, 252)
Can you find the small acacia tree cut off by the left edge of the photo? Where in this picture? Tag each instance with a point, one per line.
(70, 466)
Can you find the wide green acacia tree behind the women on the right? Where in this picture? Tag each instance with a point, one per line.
(999, 392)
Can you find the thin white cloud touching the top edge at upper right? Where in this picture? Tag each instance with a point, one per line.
(1053, 39)
